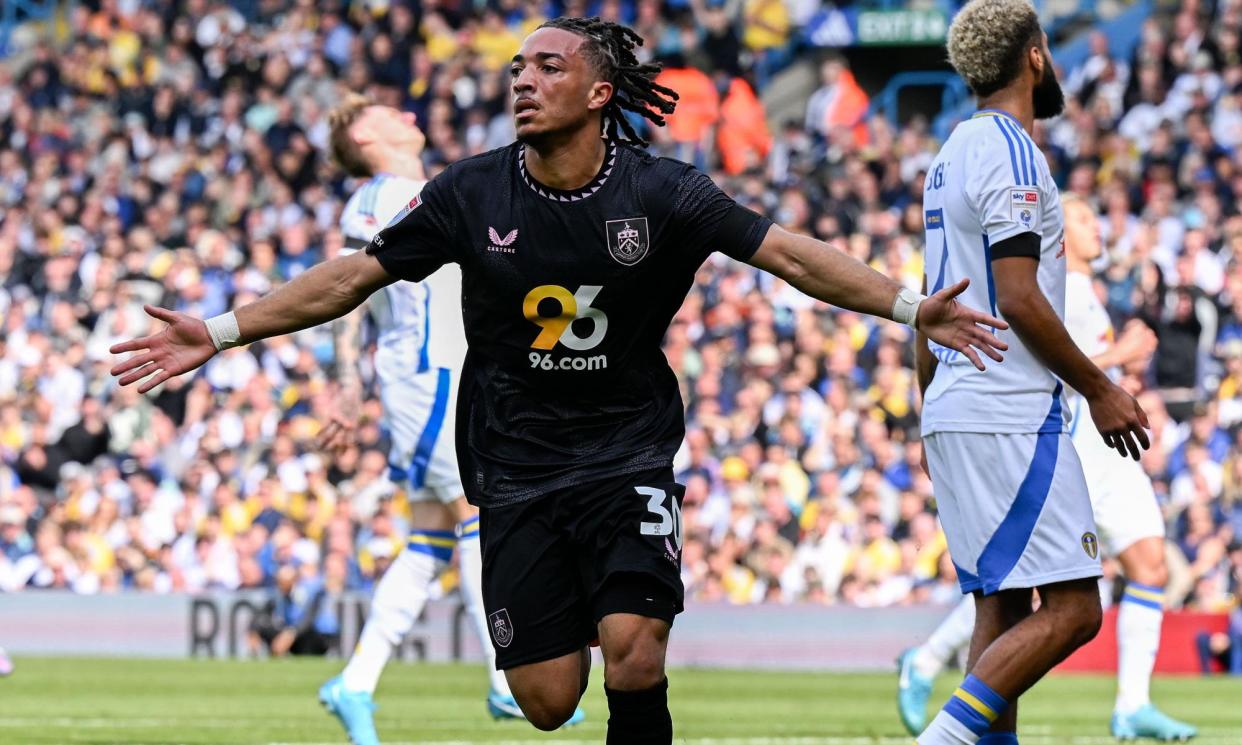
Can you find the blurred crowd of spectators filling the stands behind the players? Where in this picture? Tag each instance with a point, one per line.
(175, 153)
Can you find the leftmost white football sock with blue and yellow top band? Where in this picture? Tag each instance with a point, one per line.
(398, 603)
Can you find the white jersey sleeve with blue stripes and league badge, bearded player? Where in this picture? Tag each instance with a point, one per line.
(1002, 193)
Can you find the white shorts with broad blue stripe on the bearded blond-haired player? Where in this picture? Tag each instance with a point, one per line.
(1015, 510)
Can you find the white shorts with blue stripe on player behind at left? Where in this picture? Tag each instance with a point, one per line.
(420, 415)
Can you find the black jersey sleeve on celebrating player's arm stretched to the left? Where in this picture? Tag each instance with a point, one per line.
(420, 239)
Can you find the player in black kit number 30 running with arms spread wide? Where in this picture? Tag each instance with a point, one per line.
(577, 249)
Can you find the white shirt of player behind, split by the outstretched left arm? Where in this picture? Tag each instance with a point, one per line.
(419, 323)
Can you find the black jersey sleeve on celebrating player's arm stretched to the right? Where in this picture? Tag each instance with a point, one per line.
(709, 220)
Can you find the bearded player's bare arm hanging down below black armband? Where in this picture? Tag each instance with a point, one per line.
(1118, 417)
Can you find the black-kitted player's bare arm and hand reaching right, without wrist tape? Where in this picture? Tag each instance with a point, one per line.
(832, 276)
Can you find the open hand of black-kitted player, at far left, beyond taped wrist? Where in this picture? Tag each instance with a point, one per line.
(183, 346)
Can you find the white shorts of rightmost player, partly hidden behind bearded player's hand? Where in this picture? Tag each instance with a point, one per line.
(1122, 497)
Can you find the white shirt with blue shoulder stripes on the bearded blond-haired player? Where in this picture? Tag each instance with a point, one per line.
(990, 183)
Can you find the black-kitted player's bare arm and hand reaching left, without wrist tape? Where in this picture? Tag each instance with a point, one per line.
(320, 295)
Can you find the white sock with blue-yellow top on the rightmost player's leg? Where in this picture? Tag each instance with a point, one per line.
(1138, 639)
